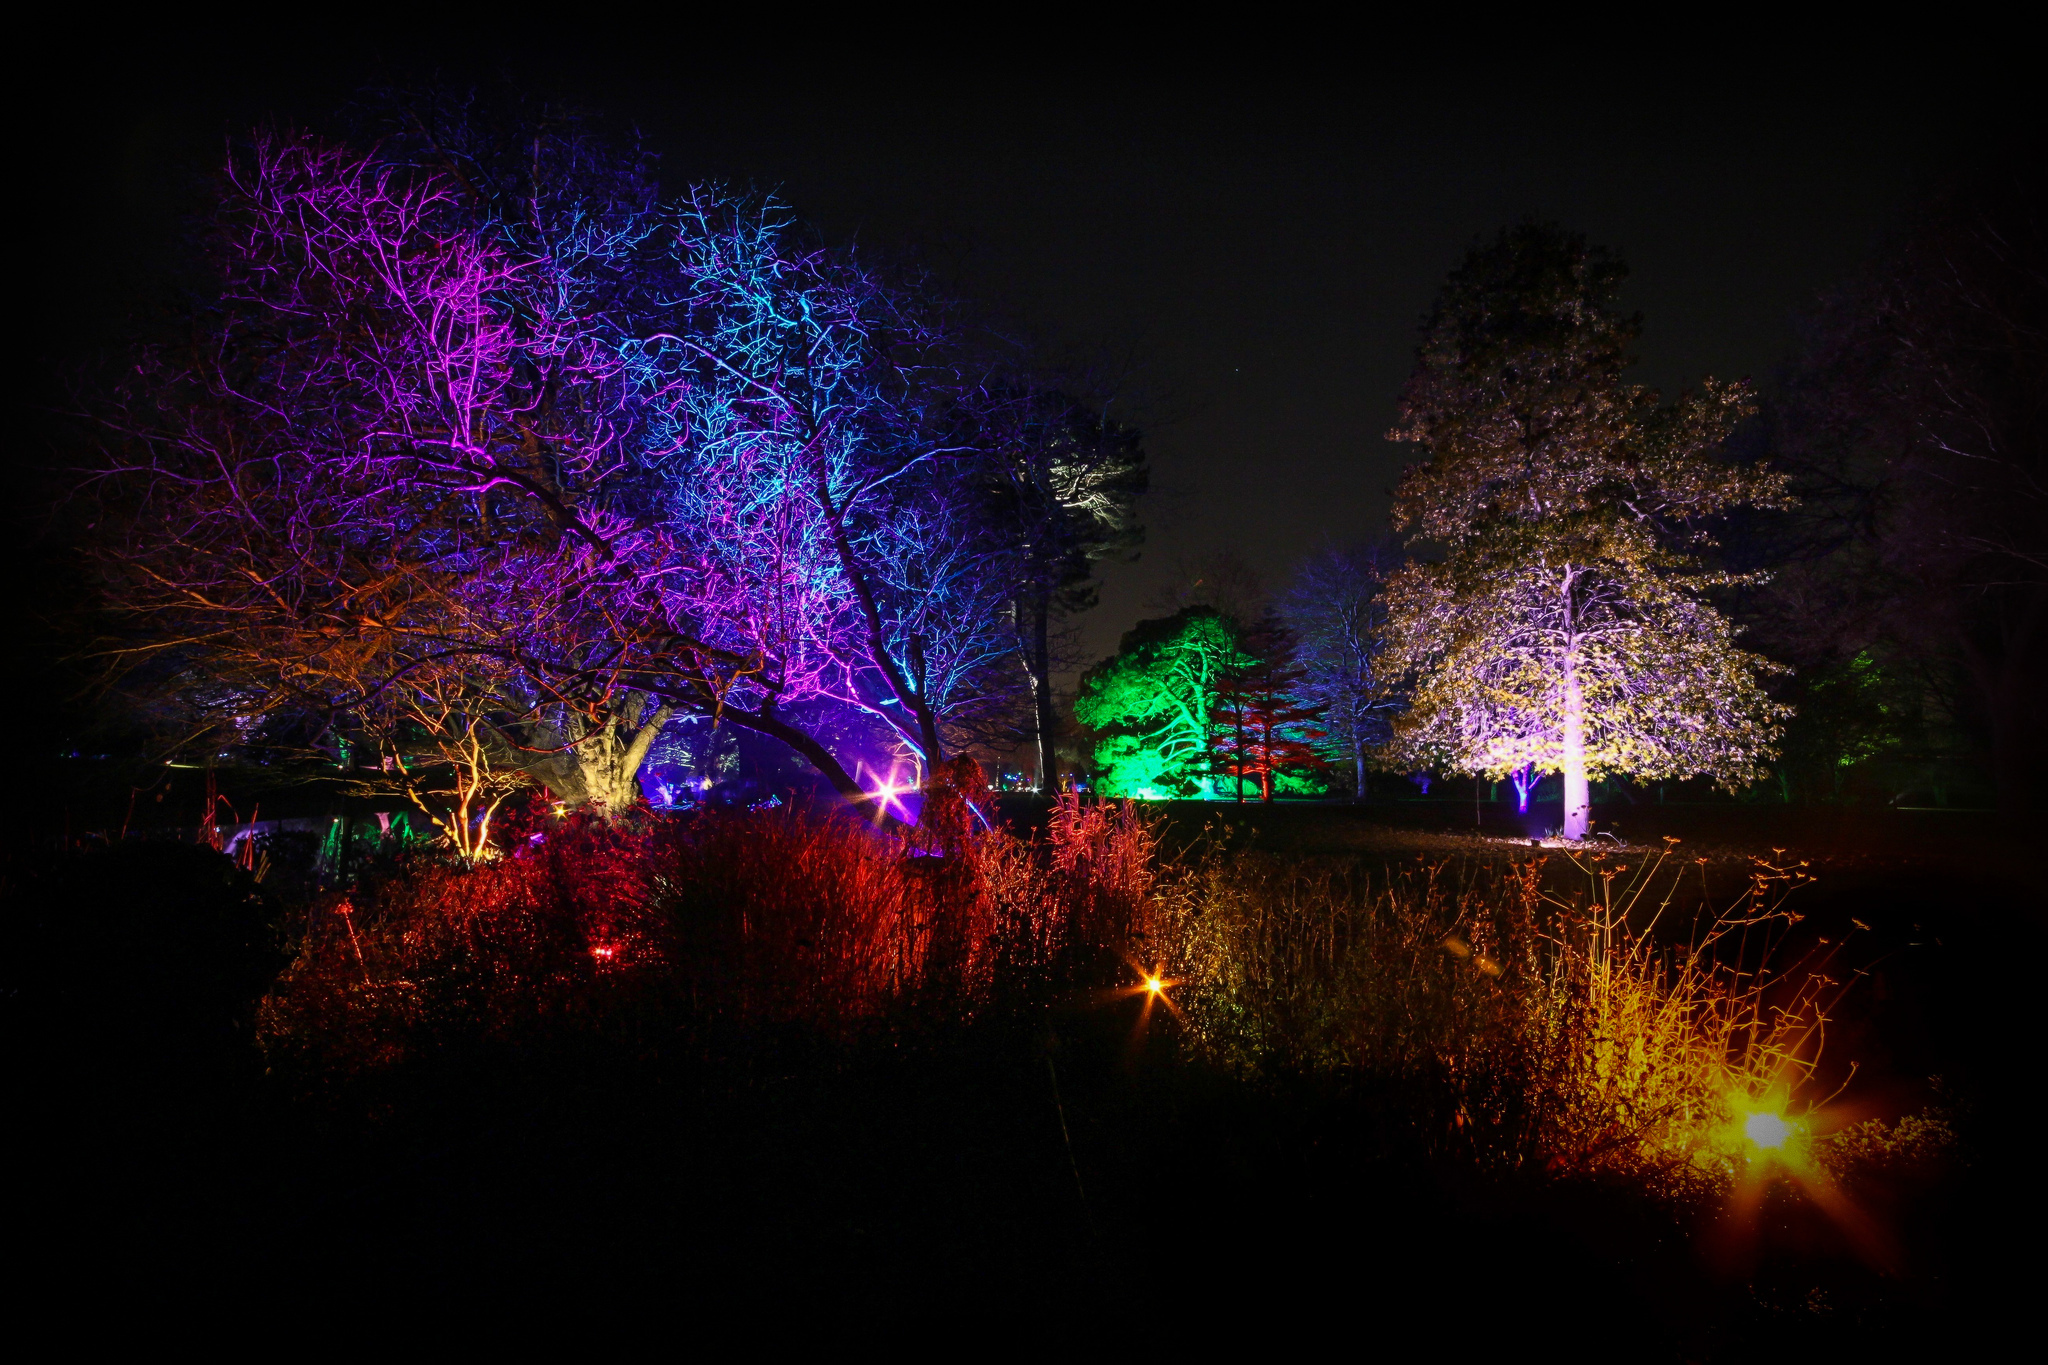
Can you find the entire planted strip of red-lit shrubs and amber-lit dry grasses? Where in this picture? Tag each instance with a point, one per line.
(1580, 1014)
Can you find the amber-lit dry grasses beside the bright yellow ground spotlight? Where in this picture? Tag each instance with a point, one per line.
(1578, 1034)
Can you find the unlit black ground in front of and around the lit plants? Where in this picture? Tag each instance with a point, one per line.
(1052, 1180)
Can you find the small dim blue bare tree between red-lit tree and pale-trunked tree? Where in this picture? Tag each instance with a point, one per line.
(1338, 611)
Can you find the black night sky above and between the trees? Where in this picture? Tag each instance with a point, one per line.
(1256, 251)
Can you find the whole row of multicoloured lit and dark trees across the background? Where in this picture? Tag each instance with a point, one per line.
(484, 464)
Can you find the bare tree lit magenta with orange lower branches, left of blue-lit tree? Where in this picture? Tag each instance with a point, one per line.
(386, 470)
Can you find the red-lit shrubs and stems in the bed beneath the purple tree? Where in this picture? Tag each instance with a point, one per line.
(716, 922)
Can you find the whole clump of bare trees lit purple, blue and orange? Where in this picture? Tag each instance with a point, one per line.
(480, 427)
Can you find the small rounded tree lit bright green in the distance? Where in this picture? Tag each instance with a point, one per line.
(1154, 705)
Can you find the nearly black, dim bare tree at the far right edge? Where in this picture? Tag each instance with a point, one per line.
(1916, 427)
